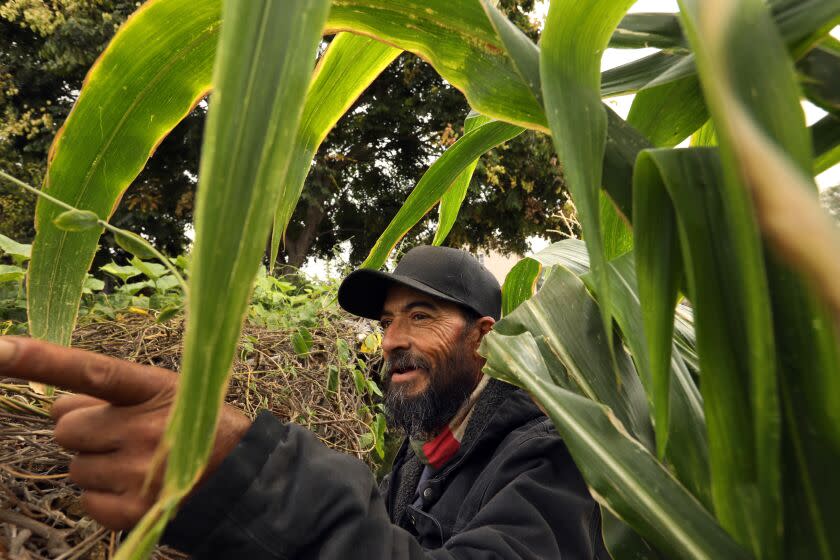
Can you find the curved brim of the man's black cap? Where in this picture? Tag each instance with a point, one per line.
(363, 291)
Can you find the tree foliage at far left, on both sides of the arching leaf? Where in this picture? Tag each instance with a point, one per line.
(46, 49)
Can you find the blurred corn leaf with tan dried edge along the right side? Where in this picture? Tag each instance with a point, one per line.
(767, 155)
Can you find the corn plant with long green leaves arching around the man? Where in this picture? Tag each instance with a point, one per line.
(738, 465)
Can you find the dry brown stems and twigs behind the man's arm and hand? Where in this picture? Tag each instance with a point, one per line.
(40, 513)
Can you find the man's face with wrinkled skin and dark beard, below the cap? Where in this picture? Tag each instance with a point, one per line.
(430, 361)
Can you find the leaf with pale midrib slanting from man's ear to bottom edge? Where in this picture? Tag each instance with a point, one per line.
(622, 473)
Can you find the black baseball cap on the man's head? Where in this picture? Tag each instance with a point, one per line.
(449, 274)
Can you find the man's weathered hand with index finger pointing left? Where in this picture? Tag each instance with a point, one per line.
(114, 423)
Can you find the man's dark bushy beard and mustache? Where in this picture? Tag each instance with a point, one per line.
(422, 416)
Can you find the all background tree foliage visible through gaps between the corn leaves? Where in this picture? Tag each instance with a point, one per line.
(361, 175)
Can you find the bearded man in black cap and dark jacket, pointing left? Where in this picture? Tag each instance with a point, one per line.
(482, 473)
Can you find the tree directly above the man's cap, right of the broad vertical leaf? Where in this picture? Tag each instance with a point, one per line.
(376, 154)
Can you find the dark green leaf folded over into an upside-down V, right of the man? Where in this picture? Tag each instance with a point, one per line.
(736, 359)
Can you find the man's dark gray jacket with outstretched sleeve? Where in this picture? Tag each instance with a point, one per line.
(511, 491)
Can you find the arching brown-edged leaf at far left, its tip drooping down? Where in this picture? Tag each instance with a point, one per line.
(133, 96)
